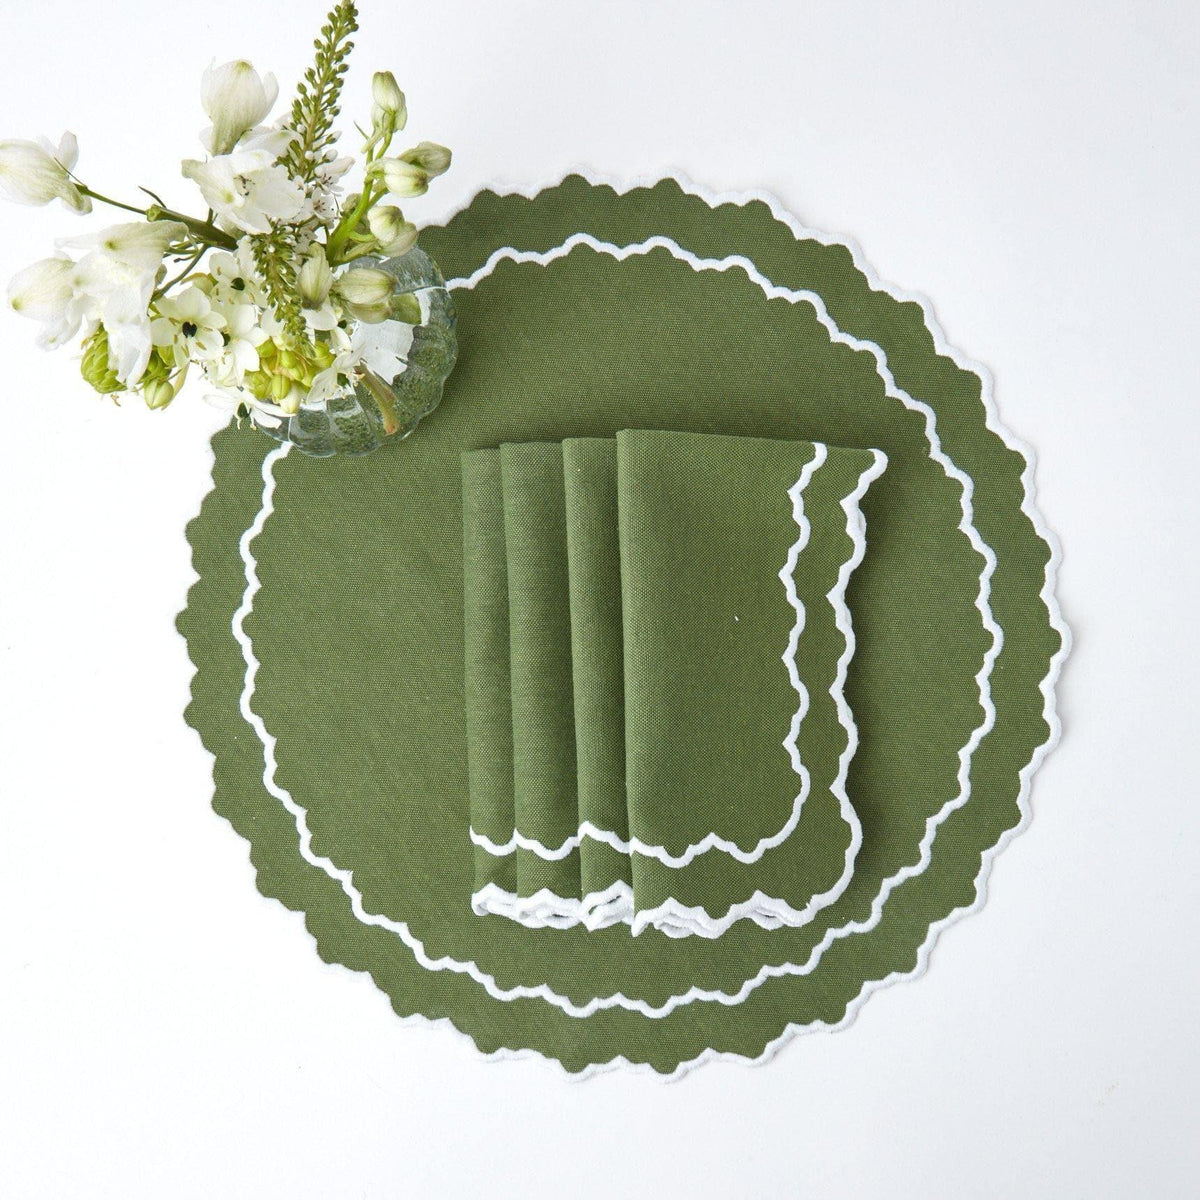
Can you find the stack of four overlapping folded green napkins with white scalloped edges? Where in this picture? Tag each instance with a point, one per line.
(623, 599)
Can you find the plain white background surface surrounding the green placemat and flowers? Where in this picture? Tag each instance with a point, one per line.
(165, 1033)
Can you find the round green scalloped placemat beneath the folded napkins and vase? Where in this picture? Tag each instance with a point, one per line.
(358, 631)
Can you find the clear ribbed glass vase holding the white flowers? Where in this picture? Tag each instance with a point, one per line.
(376, 411)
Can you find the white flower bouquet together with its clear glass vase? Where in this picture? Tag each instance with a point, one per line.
(309, 311)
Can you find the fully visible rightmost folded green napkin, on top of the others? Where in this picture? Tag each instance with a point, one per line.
(735, 559)
